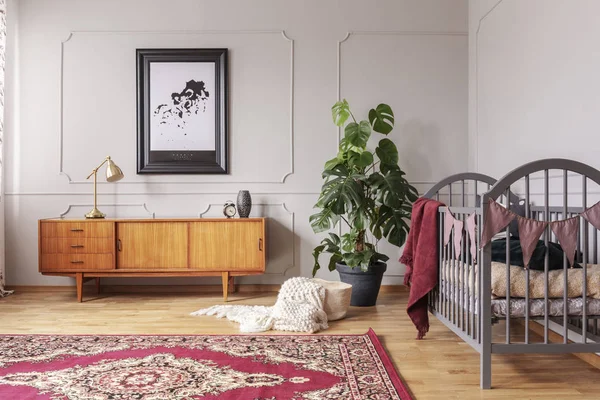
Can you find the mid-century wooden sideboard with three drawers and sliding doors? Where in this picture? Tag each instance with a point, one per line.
(94, 249)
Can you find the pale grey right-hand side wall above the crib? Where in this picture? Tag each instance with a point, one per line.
(534, 82)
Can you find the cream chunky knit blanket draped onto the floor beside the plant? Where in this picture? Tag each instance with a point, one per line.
(299, 308)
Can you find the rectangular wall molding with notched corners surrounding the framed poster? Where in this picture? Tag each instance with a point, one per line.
(291, 171)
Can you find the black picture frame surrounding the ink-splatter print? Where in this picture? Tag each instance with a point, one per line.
(181, 161)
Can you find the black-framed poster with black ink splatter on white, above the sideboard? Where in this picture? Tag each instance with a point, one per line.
(182, 111)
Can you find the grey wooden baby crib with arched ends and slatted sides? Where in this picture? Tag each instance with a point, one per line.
(547, 196)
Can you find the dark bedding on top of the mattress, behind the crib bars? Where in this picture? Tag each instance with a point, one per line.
(537, 260)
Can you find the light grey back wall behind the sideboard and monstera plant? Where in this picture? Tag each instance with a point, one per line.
(410, 54)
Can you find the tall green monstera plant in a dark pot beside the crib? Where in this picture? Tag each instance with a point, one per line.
(366, 192)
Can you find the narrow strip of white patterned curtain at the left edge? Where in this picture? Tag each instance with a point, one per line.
(2, 64)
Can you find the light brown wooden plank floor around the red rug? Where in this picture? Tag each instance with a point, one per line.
(439, 367)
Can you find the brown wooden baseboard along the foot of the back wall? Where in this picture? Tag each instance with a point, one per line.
(241, 288)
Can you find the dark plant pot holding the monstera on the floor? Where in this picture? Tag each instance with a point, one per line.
(365, 284)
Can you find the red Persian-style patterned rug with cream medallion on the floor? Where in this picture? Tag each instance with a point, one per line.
(312, 367)
